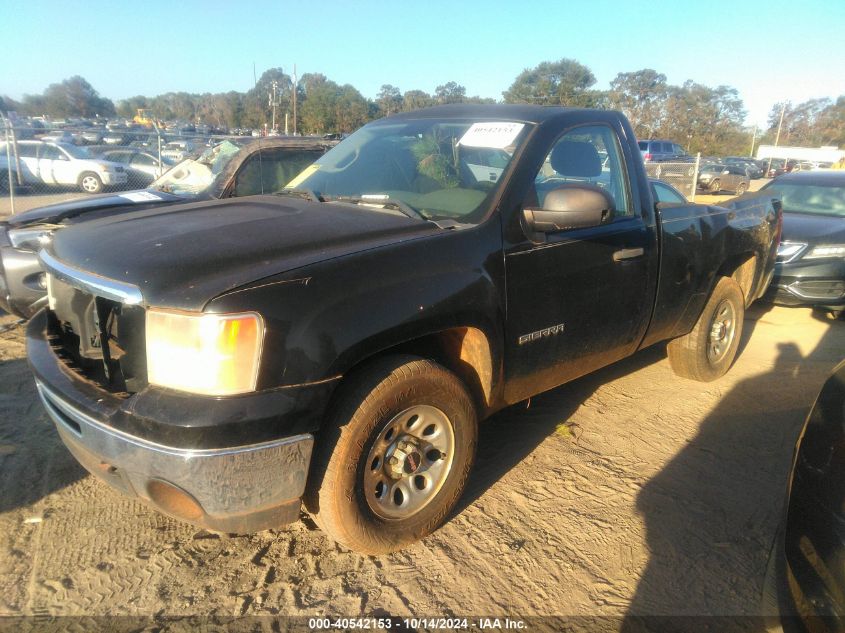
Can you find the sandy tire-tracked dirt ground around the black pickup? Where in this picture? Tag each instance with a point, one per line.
(629, 491)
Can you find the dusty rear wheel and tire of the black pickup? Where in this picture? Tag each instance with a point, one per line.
(708, 351)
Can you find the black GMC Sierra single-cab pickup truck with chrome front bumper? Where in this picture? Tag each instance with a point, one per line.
(338, 342)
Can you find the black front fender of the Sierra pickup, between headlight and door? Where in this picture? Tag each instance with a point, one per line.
(323, 319)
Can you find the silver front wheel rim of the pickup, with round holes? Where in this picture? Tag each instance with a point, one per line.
(409, 462)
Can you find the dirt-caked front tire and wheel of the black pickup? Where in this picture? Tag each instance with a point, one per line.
(394, 457)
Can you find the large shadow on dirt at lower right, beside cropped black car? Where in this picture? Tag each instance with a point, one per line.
(711, 513)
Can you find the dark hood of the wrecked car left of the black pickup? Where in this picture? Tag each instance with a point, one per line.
(55, 213)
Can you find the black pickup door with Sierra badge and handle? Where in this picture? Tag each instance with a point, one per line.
(578, 299)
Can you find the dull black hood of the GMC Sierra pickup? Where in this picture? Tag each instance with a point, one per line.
(185, 255)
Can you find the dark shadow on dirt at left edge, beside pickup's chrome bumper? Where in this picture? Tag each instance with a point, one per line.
(33, 461)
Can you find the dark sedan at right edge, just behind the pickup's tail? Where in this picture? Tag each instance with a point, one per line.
(811, 257)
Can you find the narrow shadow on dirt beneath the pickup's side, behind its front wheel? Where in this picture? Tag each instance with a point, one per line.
(507, 437)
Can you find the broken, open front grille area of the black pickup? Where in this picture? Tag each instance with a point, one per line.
(97, 338)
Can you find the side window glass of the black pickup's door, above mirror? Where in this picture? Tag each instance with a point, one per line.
(590, 155)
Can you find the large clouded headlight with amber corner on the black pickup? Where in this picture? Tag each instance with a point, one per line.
(210, 354)
